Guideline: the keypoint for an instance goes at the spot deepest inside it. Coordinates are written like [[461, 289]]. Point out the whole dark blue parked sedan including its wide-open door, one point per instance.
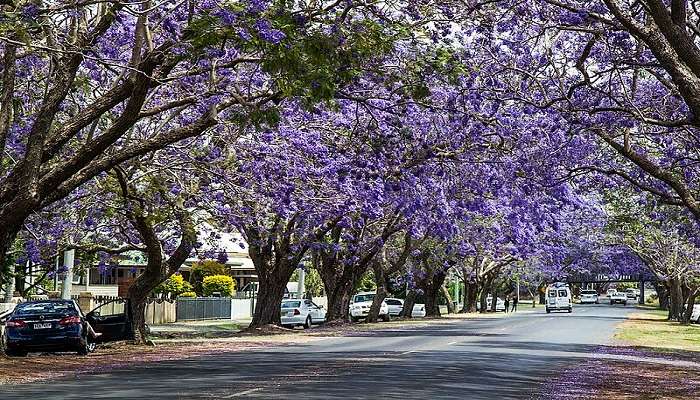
[[59, 325]]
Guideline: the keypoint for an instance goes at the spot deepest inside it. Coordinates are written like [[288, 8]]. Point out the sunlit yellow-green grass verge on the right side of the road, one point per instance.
[[651, 329]]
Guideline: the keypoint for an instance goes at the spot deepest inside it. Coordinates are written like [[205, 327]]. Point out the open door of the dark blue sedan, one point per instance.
[[112, 321]]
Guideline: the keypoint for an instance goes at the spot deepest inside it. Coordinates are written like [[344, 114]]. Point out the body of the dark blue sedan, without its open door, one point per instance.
[[46, 325]]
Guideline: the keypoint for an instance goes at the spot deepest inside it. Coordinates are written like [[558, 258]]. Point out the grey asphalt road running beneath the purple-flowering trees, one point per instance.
[[490, 358]]
